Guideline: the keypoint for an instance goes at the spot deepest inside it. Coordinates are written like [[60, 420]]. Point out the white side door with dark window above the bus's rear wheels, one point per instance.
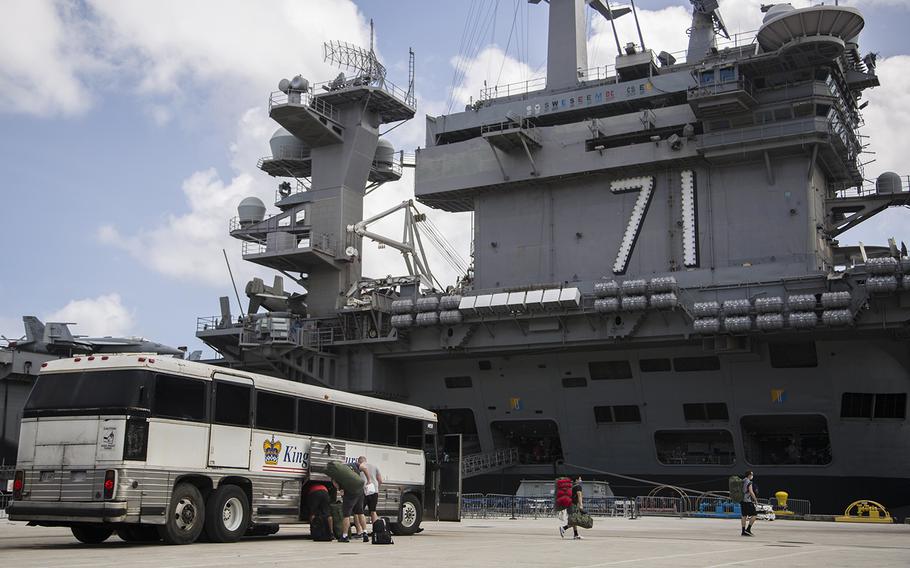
[[231, 430]]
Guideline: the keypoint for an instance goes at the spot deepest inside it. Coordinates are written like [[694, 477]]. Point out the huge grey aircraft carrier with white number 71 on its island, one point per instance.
[[656, 286]]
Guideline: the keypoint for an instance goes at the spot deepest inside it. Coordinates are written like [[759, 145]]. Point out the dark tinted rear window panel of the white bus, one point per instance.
[[110, 389]]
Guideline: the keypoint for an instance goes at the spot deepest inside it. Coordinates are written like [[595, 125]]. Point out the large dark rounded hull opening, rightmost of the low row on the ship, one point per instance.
[[786, 439]]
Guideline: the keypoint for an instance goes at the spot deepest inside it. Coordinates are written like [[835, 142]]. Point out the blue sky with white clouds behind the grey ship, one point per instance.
[[130, 130]]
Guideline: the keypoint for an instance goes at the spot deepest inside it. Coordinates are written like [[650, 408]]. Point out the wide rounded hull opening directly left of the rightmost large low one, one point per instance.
[[694, 447]]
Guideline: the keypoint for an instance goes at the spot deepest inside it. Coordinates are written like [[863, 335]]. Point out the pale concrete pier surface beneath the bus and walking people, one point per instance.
[[653, 542]]
